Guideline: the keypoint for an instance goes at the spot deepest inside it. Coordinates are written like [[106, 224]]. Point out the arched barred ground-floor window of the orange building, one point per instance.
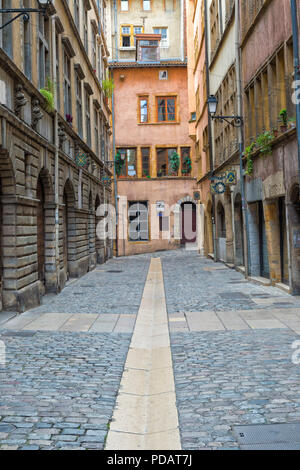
[[138, 221]]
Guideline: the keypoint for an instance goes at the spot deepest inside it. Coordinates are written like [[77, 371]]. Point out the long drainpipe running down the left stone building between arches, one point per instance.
[[56, 162]]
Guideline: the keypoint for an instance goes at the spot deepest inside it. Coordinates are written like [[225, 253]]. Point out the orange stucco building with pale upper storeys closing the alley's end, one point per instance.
[[156, 175]]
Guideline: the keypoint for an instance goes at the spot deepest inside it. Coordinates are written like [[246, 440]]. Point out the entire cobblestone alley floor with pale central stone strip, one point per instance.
[[231, 343]]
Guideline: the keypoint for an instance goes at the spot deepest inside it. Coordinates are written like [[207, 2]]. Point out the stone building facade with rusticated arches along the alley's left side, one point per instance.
[[54, 145]]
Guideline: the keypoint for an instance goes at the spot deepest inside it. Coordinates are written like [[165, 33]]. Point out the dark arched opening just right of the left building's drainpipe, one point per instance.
[[69, 227]]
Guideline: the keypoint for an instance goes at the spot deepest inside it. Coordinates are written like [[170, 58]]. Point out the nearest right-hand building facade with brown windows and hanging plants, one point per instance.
[[272, 183]]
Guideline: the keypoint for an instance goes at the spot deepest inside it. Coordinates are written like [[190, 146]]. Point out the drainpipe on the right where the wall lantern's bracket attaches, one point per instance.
[[241, 138]]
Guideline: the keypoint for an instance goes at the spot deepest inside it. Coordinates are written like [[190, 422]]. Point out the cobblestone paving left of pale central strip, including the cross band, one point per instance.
[[58, 389]]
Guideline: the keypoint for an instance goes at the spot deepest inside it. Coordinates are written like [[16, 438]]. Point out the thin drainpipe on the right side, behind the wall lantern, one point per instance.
[[211, 161]]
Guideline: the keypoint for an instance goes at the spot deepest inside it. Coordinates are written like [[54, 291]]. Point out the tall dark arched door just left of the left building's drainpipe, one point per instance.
[[41, 232]]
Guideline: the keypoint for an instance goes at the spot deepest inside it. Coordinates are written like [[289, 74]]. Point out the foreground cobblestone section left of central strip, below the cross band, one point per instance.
[[58, 390]]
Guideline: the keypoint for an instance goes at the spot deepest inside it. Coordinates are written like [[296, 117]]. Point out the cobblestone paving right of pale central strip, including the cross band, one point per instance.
[[226, 378]]
